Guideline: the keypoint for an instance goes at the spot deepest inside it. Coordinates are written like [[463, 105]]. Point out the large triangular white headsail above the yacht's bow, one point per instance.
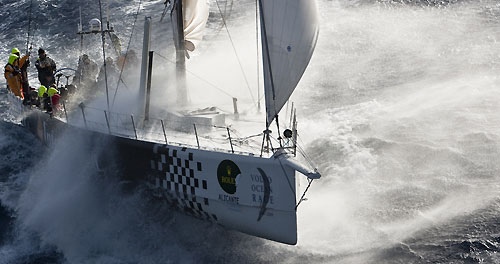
[[289, 33]]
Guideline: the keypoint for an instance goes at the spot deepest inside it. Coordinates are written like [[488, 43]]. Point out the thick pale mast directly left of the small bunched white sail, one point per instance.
[[180, 56]]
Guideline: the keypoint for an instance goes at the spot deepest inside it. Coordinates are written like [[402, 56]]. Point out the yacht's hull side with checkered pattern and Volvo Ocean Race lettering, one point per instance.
[[254, 195]]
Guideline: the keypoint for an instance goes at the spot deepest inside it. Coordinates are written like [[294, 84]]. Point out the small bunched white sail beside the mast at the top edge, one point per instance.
[[195, 19]]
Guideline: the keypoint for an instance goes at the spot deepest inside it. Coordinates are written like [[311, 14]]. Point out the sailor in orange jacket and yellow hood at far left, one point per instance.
[[13, 74]]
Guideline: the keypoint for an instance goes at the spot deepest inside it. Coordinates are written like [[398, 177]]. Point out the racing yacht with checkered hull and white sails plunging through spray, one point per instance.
[[254, 193]]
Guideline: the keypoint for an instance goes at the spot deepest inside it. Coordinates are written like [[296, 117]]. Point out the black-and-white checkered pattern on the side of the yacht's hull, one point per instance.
[[175, 180]]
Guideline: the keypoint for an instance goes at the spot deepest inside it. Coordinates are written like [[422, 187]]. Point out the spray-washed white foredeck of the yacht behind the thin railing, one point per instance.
[[195, 131]]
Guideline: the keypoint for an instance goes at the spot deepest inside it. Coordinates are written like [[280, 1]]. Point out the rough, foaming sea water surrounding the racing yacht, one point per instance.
[[398, 110]]
